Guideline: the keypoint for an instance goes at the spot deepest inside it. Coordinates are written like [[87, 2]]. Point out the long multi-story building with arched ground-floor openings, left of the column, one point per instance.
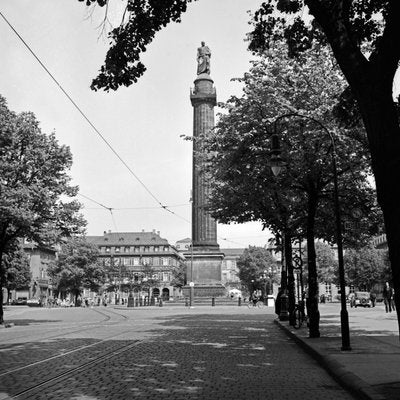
[[132, 258]]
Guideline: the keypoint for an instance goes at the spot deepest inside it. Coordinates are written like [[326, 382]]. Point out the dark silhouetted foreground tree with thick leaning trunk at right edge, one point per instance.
[[365, 38]]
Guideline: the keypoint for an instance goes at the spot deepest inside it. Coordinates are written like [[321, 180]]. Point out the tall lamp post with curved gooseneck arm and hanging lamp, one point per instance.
[[276, 164]]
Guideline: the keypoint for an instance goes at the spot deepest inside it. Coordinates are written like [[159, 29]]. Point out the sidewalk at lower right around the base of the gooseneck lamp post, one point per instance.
[[371, 370]]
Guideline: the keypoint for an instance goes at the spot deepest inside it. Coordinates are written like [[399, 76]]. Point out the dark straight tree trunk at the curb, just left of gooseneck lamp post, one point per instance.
[[312, 300]]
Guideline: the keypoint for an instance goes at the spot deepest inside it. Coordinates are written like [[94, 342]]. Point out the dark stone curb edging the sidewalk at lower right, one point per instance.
[[353, 383]]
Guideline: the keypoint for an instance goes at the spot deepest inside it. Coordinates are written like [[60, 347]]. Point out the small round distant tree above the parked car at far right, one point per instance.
[[365, 267]]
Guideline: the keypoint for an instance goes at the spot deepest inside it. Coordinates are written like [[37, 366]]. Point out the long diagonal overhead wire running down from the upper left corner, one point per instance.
[[88, 120]]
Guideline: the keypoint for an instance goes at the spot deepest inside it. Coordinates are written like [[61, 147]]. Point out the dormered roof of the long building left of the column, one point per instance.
[[128, 239]]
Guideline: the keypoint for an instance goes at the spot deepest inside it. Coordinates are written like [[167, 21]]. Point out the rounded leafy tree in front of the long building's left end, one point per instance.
[[77, 267]]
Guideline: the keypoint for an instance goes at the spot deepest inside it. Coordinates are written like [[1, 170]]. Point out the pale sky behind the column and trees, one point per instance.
[[143, 123]]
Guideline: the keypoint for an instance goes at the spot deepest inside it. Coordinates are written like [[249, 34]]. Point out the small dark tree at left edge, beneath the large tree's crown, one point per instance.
[[17, 270]]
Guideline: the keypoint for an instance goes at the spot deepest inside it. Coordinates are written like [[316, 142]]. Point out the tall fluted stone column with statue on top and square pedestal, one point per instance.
[[204, 259]]
